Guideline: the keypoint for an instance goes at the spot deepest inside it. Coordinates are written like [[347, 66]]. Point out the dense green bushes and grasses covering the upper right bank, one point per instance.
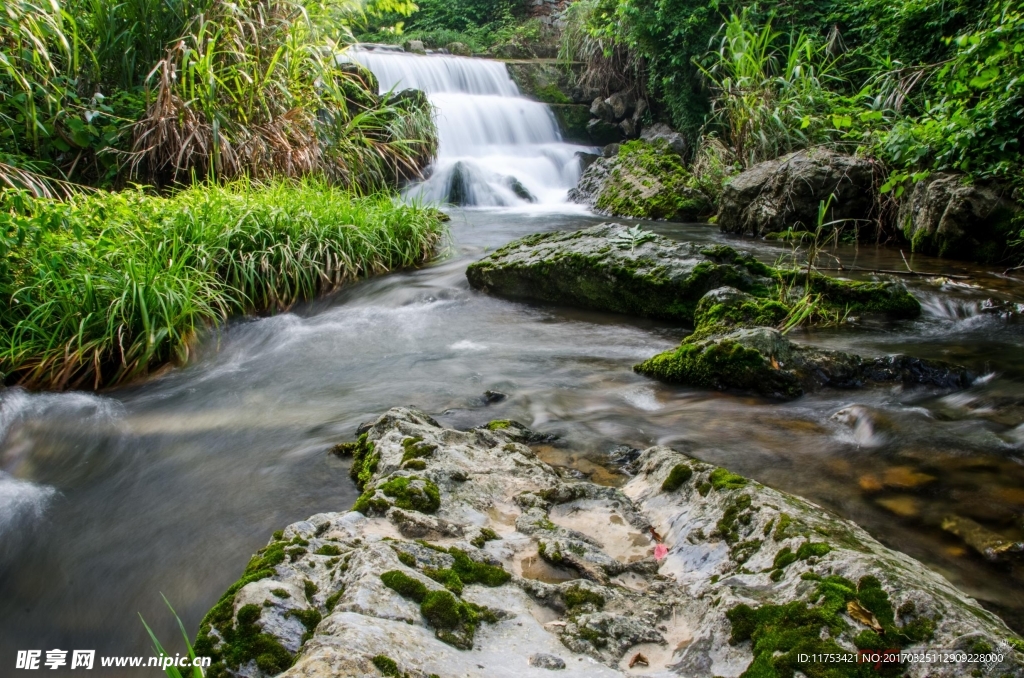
[[921, 86]]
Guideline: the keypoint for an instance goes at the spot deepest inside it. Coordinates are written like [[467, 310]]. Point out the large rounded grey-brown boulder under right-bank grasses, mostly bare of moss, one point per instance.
[[787, 193]]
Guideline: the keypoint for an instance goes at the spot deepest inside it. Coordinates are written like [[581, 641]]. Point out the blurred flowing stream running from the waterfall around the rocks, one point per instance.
[[169, 486]]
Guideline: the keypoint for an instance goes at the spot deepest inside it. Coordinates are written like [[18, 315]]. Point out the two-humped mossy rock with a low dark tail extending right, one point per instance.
[[737, 347]]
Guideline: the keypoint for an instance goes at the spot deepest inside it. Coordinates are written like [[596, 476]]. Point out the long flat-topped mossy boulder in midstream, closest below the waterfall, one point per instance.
[[614, 268]]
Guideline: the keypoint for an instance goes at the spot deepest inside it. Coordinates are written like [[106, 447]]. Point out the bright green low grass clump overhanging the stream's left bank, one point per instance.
[[107, 287]]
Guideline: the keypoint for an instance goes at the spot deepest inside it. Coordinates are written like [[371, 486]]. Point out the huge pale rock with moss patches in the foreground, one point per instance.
[[345, 595]]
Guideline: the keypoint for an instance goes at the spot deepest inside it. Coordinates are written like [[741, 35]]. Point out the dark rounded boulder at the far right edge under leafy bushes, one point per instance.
[[949, 218]]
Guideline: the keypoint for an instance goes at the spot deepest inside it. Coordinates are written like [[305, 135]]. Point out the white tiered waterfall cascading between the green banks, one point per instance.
[[497, 148]]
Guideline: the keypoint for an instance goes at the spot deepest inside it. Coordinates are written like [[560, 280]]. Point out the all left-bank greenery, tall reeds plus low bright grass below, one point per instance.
[[269, 164]]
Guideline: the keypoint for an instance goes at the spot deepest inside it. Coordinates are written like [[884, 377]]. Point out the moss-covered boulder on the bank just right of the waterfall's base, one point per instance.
[[646, 181]]
